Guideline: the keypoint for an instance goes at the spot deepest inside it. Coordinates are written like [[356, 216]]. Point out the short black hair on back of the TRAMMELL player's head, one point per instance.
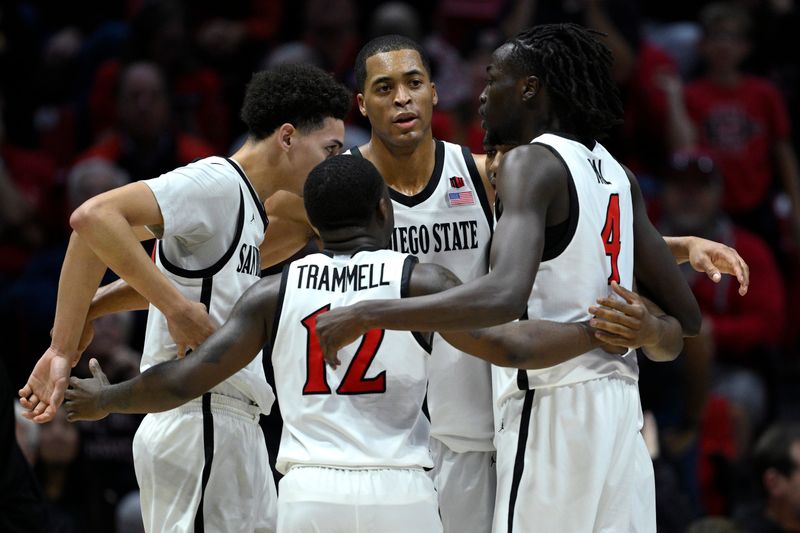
[[342, 191]]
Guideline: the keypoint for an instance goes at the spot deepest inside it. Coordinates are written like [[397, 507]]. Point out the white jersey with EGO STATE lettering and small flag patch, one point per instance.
[[450, 223]]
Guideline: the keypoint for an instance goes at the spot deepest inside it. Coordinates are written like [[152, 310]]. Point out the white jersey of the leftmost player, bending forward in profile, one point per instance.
[[219, 285]]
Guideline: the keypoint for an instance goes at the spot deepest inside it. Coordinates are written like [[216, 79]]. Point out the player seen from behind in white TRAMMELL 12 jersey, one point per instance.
[[355, 440]]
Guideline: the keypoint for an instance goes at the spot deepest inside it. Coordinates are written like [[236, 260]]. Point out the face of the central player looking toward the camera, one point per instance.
[[398, 97]]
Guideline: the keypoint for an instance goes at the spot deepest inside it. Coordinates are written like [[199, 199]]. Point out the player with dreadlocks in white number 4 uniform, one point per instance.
[[570, 456]]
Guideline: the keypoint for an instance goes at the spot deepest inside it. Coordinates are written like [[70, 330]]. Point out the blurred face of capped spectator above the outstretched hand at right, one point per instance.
[[692, 200]]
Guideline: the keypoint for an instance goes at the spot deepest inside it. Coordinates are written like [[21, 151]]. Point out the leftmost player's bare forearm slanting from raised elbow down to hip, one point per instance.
[[114, 241]]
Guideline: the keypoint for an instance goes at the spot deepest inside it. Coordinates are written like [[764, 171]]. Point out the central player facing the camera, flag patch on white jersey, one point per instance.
[[442, 204]]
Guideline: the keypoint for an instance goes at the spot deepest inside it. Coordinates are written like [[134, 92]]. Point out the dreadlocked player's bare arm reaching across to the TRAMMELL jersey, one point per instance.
[[532, 178]]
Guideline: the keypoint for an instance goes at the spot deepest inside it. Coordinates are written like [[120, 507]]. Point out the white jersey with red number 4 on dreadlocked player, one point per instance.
[[596, 247]]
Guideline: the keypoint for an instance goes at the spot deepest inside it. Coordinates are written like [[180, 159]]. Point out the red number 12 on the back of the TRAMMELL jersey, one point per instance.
[[355, 380]]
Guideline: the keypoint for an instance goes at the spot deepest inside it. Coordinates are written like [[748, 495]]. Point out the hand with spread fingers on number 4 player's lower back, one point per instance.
[[625, 323]]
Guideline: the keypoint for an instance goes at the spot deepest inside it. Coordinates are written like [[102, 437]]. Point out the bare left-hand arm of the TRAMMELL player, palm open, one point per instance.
[[168, 385]]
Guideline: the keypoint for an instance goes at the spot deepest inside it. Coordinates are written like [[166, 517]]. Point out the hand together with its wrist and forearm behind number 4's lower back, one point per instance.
[[634, 321]]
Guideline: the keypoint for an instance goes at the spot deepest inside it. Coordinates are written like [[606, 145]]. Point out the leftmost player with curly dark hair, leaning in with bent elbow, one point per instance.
[[209, 220]]
